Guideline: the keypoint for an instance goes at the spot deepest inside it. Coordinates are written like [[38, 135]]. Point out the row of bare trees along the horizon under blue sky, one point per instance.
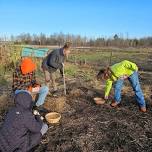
[[79, 41]]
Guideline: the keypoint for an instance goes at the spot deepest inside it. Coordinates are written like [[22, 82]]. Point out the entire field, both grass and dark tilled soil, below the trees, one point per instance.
[[85, 126]]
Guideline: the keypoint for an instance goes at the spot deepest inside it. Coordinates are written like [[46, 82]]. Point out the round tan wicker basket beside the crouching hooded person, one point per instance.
[[53, 117]]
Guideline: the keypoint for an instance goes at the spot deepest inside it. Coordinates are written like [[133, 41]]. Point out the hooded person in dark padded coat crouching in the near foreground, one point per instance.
[[21, 130]]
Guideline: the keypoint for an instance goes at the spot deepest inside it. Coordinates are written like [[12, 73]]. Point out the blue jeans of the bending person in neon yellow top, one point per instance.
[[134, 81]]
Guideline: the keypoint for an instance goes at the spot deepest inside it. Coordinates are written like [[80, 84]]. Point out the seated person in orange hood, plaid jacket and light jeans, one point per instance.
[[24, 80]]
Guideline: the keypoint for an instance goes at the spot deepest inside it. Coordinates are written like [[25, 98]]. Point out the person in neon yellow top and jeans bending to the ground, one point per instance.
[[118, 73]]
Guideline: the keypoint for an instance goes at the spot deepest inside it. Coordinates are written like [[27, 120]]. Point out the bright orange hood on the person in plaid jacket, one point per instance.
[[27, 66]]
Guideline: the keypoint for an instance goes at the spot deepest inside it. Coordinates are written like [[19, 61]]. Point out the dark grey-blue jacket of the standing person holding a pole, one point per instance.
[[54, 61]]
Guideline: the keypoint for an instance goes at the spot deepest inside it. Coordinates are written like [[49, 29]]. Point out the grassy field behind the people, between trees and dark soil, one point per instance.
[[94, 58]]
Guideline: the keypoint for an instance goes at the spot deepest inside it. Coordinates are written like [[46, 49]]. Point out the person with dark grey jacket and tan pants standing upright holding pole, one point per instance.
[[54, 61]]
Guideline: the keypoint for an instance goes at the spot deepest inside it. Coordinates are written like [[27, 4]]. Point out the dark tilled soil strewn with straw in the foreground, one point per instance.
[[87, 127]]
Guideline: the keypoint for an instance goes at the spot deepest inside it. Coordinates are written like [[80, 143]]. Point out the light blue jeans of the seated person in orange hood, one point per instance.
[[42, 94]]
